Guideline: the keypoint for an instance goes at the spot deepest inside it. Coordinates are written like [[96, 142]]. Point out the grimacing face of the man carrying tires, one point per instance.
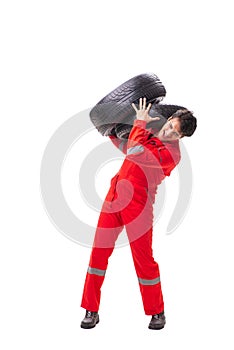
[[170, 130]]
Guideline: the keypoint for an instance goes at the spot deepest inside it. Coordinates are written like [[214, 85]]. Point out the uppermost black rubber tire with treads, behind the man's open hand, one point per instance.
[[115, 108]]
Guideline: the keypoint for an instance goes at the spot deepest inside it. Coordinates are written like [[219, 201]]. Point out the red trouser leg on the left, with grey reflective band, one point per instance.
[[109, 227]]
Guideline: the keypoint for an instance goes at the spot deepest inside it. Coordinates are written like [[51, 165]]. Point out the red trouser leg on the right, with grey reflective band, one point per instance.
[[147, 271]]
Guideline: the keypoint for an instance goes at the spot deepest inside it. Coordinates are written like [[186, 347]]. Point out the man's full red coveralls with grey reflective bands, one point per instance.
[[129, 203]]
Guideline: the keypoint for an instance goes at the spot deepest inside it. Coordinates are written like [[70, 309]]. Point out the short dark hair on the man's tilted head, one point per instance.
[[188, 122]]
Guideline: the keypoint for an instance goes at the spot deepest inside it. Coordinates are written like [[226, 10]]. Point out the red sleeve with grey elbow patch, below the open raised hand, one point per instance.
[[156, 155]]
